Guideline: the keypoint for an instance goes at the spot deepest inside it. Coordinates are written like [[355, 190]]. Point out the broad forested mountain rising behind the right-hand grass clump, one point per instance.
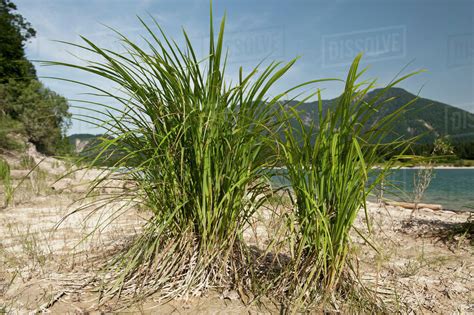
[[431, 118]]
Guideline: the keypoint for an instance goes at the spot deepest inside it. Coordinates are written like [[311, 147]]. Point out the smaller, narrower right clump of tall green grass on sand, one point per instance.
[[329, 164]]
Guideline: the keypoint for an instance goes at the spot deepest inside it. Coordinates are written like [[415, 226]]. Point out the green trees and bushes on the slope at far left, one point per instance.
[[29, 111]]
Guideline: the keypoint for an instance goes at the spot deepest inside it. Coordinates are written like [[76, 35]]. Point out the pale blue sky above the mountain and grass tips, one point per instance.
[[434, 35]]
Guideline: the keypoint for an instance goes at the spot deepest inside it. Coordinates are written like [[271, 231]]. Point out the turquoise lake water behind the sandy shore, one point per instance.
[[452, 188]]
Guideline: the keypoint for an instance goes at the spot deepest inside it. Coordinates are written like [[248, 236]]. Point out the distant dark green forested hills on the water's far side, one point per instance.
[[426, 118]]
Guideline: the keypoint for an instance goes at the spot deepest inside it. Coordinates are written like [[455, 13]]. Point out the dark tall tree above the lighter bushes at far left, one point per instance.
[[15, 31]]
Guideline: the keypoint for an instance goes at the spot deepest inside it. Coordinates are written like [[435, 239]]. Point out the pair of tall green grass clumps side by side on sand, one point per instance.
[[198, 150]]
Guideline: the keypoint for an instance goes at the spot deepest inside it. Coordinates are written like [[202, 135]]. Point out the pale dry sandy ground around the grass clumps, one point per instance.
[[422, 263]]
